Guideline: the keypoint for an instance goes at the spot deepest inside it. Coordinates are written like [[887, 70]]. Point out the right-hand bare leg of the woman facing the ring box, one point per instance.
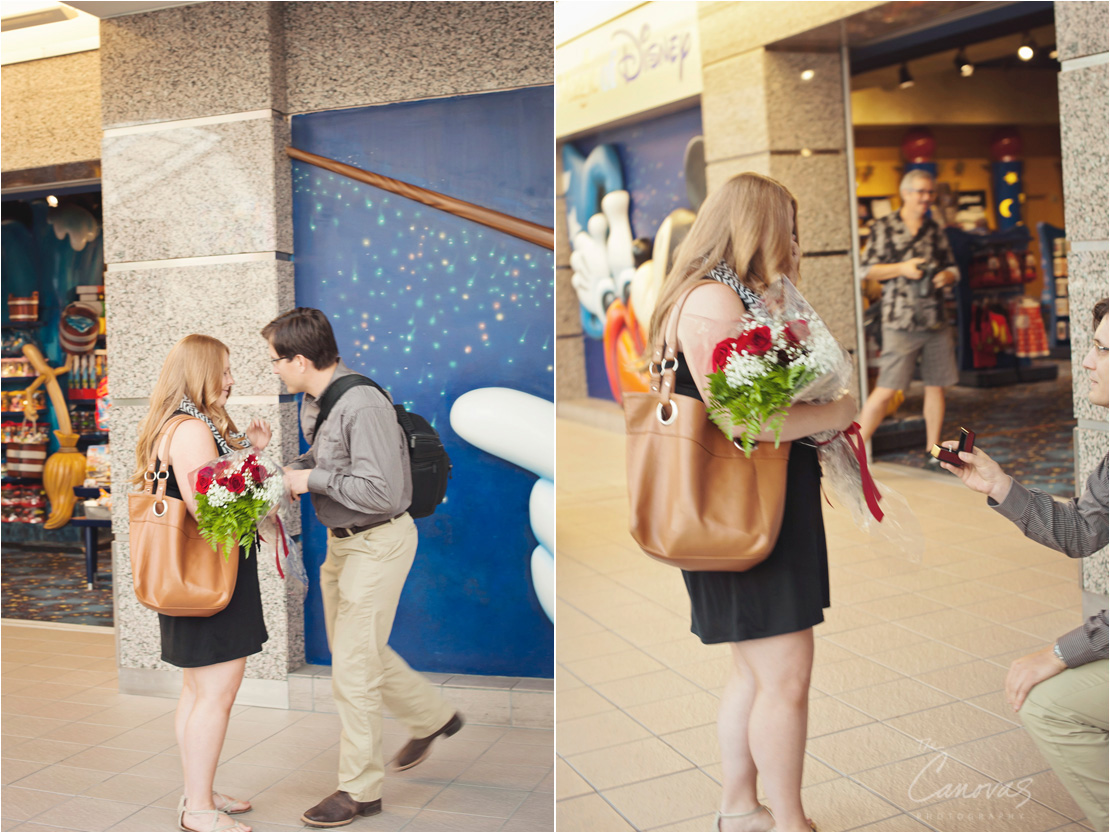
[[781, 667]]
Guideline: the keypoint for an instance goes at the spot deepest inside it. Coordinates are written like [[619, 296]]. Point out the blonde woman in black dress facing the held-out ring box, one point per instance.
[[744, 240]]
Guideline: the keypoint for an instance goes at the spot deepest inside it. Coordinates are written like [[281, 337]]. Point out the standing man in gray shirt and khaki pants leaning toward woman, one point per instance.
[[358, 475]]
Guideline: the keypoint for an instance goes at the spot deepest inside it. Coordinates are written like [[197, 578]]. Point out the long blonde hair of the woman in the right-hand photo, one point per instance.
[[749, 224]]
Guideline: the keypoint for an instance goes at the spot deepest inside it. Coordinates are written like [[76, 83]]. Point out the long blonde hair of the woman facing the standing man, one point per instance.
[[195, 369]]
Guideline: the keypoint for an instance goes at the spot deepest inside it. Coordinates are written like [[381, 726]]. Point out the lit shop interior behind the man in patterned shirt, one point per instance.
[[976, 105]]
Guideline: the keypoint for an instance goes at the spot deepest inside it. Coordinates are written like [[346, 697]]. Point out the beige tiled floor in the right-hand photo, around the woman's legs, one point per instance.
[[909, 729]]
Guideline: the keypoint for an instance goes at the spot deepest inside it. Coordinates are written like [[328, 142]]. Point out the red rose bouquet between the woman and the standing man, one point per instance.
[[235, 494]]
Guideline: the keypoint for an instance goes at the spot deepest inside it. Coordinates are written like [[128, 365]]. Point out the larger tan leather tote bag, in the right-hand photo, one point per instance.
[[697, 501]]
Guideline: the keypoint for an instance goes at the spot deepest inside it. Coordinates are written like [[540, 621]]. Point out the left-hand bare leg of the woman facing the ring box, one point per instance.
[[739, 769]]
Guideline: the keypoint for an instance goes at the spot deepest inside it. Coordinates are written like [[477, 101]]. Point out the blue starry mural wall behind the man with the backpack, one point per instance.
[[432, 307]]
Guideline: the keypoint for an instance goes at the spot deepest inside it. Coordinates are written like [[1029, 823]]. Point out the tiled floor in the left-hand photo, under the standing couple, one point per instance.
[[80, 756]]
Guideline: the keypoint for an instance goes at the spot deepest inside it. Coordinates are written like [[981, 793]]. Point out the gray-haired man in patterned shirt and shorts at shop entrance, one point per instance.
[[914, 320]]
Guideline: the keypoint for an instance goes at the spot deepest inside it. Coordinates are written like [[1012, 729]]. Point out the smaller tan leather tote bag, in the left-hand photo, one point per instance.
[[175, 571]]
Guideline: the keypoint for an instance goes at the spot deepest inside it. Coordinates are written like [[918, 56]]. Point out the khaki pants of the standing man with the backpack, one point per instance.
[[361, 582]]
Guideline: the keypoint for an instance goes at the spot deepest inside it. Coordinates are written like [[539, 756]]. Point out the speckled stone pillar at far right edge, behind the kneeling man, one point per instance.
[[1082, 37]]
